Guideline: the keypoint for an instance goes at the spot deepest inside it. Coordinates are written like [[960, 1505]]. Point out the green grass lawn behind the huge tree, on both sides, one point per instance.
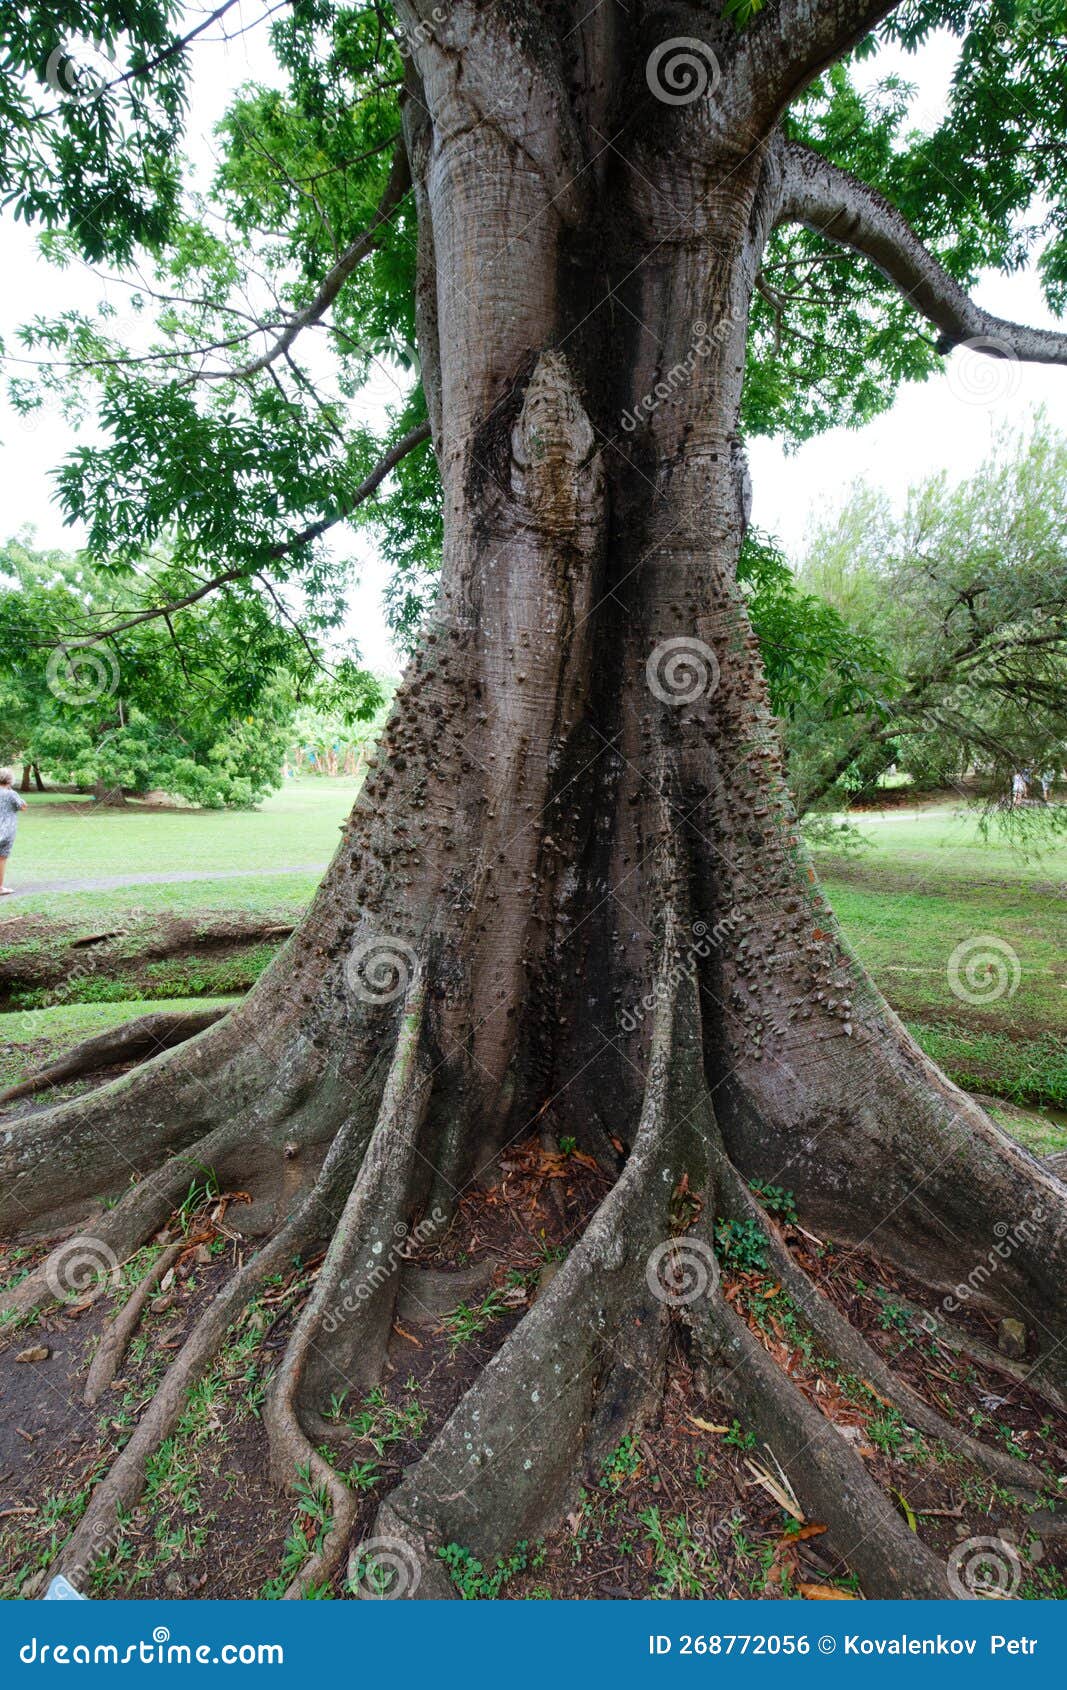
[[927, 885]]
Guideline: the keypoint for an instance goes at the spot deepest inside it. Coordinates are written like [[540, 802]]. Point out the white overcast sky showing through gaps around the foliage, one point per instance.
[[946, 423]]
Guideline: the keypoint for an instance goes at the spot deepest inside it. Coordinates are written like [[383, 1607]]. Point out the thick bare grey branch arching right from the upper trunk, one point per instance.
[[845, 210]]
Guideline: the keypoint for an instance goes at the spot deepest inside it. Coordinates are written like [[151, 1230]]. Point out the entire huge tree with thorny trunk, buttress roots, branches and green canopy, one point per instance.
[[589, 221]]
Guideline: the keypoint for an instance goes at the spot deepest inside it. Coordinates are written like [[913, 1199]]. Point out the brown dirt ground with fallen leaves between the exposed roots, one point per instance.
[[686, 1507]]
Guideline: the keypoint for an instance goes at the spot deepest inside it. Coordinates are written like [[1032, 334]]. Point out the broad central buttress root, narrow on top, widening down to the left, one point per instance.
[[584, 1365]]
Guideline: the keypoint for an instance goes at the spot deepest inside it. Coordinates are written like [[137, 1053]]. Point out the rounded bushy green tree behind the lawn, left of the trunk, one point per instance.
[[199, 706]]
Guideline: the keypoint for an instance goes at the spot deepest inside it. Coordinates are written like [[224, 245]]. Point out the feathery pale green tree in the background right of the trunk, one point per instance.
[[968, 596]]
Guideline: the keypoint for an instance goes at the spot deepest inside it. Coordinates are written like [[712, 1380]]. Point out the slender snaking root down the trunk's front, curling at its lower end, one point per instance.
[[356, 1294]]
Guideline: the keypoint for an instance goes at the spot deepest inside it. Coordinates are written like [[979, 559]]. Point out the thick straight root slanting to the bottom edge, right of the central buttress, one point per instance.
[[826, 1475]]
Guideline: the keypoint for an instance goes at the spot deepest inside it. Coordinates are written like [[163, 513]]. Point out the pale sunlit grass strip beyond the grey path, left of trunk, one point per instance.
[[74, 839]]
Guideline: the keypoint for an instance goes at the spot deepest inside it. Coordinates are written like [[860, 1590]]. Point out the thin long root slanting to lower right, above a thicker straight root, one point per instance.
[[851, 1349]]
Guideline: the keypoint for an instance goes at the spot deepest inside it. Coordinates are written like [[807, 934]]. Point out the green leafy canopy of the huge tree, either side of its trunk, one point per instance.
[[233, 472]]
